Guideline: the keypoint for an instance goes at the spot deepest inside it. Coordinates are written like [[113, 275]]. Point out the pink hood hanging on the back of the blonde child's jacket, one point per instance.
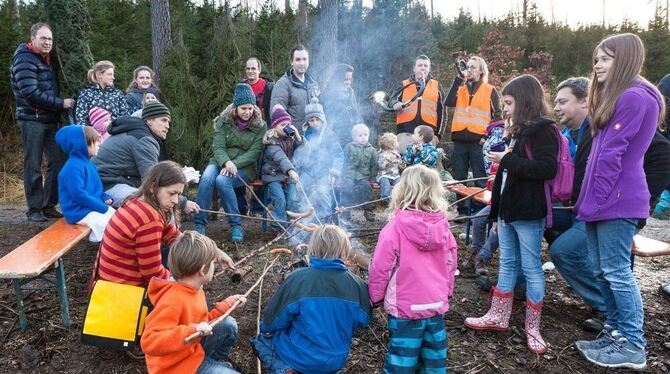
[[427, 231]]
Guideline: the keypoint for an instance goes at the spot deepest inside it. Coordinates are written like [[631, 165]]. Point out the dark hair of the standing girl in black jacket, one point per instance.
[[529, 102]]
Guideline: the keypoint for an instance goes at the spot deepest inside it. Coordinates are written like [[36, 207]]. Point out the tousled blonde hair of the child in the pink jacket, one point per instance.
[[419, 188]]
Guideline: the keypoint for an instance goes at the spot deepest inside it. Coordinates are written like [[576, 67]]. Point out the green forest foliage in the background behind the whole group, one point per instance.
[[212, 42]]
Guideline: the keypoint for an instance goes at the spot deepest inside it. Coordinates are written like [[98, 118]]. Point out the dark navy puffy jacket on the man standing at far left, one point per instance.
[[35, 87]]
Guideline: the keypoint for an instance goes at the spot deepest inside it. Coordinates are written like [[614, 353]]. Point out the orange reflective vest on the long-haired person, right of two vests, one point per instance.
[[473, 116]]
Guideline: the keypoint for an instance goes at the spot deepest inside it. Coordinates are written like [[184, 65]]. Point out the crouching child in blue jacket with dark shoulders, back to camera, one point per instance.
[[308, 324]]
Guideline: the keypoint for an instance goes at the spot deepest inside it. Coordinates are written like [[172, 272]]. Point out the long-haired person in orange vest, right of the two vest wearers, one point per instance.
[[476, 104]]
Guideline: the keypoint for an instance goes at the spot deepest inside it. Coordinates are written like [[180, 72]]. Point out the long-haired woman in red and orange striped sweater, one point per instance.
[[131, 245]]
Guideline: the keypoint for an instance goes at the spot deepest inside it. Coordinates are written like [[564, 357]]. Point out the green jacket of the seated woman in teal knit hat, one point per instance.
[[242, 147]]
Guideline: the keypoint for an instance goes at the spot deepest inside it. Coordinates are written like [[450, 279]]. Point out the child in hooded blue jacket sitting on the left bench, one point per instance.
[[80, 192]]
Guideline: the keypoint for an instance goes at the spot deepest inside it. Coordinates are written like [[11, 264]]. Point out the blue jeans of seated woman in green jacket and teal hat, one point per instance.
[[226, 186]]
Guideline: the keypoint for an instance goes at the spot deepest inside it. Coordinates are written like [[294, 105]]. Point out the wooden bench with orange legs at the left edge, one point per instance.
[[30, 261]]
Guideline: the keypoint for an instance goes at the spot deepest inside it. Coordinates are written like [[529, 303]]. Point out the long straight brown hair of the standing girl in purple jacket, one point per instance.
[[628, 53]]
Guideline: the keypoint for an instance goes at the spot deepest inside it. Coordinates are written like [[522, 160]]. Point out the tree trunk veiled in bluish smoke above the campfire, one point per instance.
[[326, 39]]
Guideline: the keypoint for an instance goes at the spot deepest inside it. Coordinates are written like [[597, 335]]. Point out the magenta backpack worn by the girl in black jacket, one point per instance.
[[559, 189]]
